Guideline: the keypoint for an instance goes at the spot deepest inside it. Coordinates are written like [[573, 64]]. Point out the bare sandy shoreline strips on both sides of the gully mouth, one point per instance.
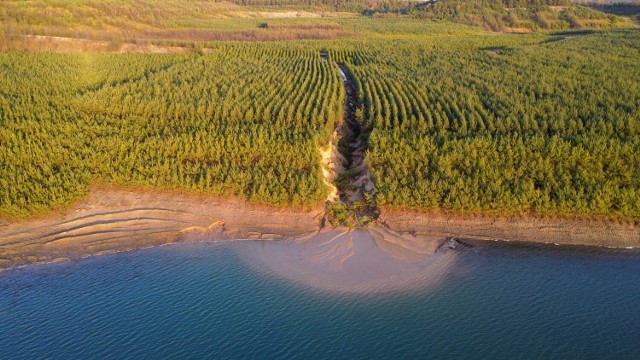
[[112, 220]]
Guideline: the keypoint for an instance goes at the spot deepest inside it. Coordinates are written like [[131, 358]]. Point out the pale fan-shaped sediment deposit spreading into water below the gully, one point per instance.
[[362, 261]]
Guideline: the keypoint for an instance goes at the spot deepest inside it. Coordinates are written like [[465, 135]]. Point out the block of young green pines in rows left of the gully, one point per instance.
[[245, 120]]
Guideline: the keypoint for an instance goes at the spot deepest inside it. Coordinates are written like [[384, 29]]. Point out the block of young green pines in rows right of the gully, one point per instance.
[[546, 128]]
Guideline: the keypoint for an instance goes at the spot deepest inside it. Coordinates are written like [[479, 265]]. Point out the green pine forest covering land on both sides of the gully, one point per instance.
[[455, 117]]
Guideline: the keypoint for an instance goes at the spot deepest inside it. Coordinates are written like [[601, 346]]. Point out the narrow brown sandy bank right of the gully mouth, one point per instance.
[[440, 226]]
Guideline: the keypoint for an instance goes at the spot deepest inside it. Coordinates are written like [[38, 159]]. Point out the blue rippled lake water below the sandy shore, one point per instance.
[[239, 300]]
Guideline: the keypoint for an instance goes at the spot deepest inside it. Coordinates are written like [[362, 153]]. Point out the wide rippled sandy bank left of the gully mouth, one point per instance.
[[111, 220]]
